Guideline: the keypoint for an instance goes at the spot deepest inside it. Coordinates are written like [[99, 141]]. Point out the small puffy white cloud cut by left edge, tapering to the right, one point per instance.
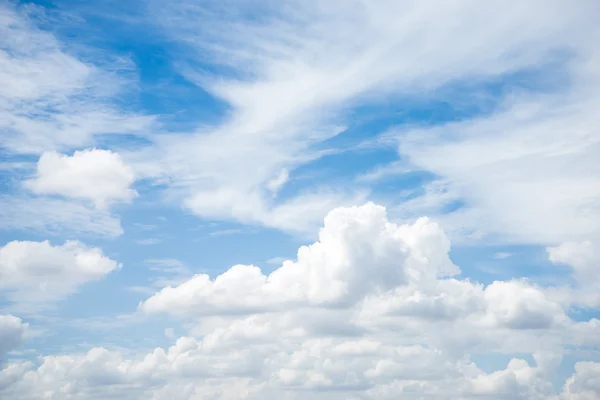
[[38, 272]]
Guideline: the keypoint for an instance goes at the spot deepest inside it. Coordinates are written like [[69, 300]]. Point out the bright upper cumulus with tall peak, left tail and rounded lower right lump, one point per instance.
[[364, 261]]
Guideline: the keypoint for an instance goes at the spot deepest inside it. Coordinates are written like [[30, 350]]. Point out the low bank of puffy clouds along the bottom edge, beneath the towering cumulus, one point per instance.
[[325, 368]]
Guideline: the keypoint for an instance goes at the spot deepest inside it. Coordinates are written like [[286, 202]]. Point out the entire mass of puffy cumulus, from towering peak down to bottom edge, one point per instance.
[[372, 310]]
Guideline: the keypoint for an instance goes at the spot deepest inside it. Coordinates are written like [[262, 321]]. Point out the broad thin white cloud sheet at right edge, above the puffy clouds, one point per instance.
[[527, 171]]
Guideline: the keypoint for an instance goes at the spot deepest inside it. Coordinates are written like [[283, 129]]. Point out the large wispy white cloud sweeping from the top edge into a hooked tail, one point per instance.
[[287, 91]]
